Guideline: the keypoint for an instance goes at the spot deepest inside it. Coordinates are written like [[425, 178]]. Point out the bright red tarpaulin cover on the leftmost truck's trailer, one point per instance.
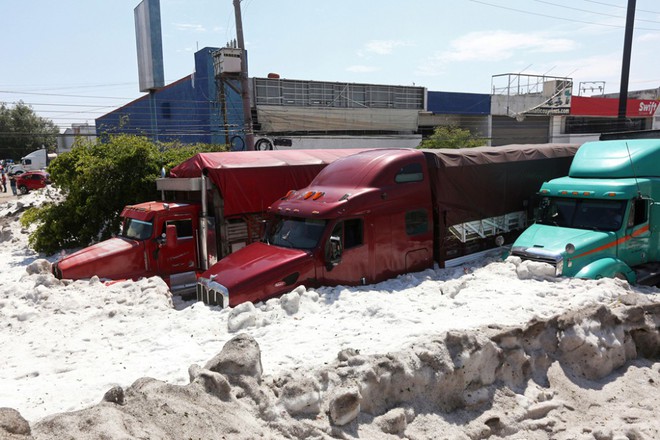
[[249, 181]]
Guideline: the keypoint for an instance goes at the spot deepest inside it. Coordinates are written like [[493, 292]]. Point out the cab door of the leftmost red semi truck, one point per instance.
[[176, 251]]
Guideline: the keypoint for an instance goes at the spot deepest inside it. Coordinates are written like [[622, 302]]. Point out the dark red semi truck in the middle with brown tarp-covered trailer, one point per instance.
[[380, 213]]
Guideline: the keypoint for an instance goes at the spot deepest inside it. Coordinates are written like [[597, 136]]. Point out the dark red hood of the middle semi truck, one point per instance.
[[260, 271]]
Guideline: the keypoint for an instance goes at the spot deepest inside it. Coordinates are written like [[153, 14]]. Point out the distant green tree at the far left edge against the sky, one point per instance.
[[22, 131]]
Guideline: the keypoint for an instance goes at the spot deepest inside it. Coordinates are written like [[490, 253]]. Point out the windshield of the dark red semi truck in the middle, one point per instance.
[[297, 233]]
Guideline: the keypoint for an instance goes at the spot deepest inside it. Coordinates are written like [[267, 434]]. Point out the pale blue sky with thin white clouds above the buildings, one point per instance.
[[73, 61]]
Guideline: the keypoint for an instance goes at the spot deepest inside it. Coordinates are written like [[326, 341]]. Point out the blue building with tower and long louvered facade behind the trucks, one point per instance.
[[206, 107]]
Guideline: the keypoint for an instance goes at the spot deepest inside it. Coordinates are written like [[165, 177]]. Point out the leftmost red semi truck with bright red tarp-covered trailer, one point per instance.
[[213, 204]]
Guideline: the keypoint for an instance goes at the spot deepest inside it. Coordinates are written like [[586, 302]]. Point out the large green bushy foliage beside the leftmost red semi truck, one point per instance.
[[98, 180]]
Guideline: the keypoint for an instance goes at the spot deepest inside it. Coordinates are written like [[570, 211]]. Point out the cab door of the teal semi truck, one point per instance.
[[635, 249]]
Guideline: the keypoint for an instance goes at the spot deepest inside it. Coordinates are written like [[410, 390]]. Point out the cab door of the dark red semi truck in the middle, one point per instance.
[[346, 254]]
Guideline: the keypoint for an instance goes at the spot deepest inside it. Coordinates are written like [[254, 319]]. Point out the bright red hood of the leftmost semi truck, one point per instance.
[[116, 258]]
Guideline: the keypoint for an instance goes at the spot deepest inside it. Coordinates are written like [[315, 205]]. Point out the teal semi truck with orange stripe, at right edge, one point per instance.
[[602, 220]]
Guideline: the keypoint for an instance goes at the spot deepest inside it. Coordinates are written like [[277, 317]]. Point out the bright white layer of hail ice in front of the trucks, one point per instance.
[[65, 343]]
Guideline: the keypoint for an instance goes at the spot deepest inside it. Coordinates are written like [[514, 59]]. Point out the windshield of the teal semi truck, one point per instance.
[[599, 215]]
